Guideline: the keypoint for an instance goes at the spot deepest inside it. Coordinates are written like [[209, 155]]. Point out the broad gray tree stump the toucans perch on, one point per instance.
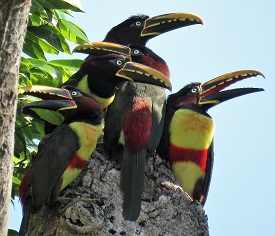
[[92, 205]]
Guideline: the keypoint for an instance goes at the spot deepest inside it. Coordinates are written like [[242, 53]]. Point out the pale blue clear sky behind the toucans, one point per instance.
[[237, 35]]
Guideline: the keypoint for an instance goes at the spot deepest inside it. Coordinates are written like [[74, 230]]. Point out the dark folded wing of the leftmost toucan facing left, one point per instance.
[[53, 157]]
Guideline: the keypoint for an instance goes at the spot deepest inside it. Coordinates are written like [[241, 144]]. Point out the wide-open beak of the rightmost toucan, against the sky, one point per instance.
[[212, 95]]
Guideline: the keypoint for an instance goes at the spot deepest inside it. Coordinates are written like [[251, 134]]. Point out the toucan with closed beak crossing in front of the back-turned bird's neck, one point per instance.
[[99, 75]]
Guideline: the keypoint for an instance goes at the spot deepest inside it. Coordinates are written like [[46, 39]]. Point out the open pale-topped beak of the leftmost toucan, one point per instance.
[[55, 99]]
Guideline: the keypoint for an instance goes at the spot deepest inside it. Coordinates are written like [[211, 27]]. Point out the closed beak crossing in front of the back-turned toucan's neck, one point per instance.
[[140, 73]]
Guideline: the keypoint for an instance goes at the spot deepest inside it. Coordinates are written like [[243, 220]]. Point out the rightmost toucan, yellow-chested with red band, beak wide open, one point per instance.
[[187, 140]]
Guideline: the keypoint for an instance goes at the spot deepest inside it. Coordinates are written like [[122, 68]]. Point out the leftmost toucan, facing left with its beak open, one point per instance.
[[63, 153]]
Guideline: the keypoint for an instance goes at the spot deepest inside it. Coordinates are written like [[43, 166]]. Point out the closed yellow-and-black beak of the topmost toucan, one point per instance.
[[154, 26]]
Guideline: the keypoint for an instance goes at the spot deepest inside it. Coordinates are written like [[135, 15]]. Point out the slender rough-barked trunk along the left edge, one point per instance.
[[13, 23]]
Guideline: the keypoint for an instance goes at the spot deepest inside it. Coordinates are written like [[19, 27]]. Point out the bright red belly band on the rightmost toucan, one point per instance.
[[180, 154]]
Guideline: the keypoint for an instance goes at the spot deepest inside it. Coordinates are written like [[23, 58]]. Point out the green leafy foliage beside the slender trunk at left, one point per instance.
[[48, 32]]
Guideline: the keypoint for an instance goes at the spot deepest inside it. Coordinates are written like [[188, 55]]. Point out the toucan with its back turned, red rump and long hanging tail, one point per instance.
[[135, 119]]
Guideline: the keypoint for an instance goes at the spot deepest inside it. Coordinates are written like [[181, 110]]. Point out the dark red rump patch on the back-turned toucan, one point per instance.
[[137, 125]]
